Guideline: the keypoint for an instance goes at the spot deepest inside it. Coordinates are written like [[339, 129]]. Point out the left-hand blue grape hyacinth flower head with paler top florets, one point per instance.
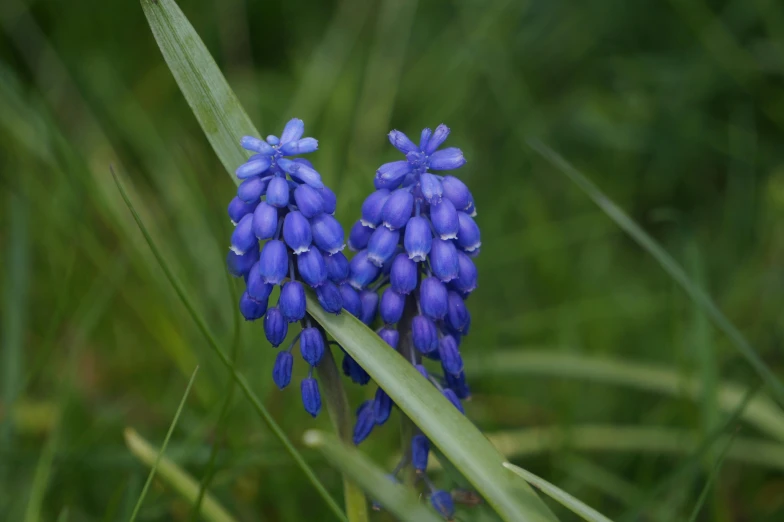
[[283, 203]]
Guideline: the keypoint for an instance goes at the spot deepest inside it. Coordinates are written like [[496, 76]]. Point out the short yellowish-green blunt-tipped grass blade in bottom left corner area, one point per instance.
[[176, 477]]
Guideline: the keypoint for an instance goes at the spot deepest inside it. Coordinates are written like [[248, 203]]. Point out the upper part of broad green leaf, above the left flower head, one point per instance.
[[212, 101]]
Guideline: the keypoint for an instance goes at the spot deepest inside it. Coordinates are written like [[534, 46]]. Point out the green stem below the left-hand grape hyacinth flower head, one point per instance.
[[340, 414]]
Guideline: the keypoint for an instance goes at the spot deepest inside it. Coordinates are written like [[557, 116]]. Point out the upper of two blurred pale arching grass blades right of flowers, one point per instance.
[[761, 411]]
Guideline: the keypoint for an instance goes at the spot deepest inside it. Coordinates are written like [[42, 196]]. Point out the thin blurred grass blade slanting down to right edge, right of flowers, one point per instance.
[[667, 262]]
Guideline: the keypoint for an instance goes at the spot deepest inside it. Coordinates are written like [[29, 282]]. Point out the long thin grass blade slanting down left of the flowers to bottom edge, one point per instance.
[[239, 379]]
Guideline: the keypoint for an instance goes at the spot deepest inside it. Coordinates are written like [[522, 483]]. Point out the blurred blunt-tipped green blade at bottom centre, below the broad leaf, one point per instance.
[[394, 497]]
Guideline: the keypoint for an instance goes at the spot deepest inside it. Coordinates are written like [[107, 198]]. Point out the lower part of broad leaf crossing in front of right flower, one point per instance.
[[461, 442]]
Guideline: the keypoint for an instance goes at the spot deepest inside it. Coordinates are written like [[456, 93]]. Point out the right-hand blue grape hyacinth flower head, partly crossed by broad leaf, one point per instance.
[[415, 239]]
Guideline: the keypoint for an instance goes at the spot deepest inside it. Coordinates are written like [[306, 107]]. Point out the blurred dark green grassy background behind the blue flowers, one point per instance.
[[589, 366]]
